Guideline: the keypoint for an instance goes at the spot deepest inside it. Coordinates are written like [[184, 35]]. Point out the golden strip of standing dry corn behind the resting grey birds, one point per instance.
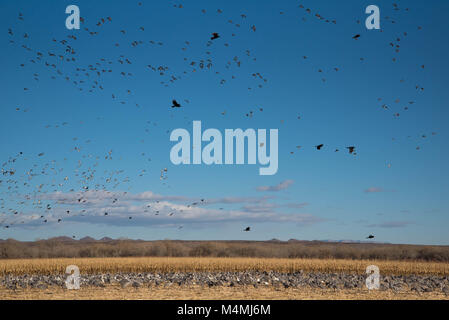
[[210, 264]]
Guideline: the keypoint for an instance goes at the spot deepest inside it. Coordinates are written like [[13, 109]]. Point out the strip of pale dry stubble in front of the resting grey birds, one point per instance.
[[215, 293]]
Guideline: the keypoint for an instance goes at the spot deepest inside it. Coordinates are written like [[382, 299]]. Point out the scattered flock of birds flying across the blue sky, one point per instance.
[[61, 63]]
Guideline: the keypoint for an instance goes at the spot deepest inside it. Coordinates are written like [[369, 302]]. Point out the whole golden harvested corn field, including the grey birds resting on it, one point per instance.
[[221, 278]]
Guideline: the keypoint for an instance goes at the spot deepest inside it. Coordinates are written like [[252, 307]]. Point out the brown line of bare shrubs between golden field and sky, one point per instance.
[[54, 248]]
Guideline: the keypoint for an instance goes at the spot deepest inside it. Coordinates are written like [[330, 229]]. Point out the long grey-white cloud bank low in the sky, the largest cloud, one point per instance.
[[148, 208]]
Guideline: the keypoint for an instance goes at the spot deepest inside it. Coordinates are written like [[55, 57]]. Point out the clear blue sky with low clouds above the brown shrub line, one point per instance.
[[90, 140]]
